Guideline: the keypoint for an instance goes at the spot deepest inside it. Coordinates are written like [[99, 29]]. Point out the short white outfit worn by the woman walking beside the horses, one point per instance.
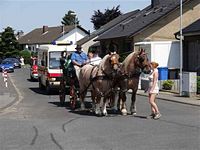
[[156, 89]]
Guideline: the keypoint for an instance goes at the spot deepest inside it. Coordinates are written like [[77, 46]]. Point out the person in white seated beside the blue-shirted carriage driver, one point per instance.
[[94, 59]]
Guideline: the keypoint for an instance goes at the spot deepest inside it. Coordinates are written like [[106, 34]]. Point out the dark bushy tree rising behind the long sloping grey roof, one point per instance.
[[99, 18]]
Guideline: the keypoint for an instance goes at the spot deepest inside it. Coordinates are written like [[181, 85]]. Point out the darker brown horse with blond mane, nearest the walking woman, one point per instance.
[[131, 68]]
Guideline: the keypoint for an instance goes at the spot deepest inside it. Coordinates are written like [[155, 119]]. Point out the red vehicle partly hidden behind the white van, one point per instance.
[[34, 69]]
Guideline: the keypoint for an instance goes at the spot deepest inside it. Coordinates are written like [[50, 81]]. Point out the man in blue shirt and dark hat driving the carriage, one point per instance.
[[79, 59]]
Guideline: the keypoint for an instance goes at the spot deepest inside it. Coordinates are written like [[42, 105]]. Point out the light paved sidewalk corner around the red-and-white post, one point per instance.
[[8, 95]]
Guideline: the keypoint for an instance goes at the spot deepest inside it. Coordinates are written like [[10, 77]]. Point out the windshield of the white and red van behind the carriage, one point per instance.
[[54, 60]]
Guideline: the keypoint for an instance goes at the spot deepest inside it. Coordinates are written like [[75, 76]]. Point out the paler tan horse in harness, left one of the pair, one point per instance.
[[100, 81]]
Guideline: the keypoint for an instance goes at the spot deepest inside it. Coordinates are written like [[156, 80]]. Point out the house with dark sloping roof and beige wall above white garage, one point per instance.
[[157, 22]]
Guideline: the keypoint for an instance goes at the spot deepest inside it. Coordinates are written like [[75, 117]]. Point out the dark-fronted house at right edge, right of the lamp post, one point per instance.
[[191, 47]]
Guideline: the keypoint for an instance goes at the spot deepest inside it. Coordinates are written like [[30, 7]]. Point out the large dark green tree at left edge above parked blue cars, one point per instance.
[[8, 42]]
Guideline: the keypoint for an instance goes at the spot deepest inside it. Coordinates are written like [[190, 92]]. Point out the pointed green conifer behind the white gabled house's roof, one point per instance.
[[70, 18]]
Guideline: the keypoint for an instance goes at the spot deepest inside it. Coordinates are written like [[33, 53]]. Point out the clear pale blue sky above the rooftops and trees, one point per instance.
[[26, 15]]
